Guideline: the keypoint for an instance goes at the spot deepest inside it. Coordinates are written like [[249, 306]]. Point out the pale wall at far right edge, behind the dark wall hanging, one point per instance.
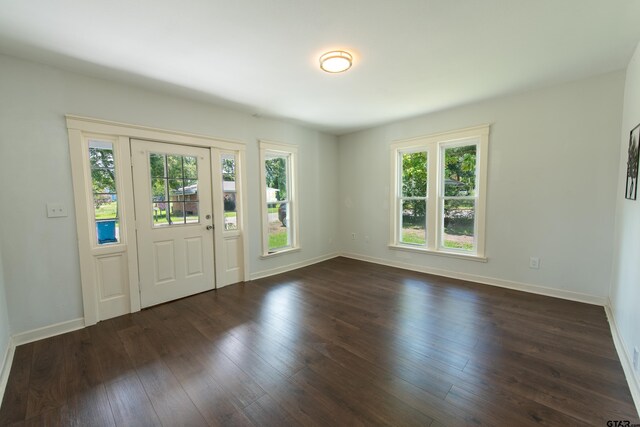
[[625, 284]]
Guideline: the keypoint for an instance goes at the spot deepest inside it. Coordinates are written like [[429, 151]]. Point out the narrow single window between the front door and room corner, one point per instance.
[[279, 204]]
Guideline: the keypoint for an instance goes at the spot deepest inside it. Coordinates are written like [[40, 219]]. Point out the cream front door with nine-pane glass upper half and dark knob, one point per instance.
[[174, 225]]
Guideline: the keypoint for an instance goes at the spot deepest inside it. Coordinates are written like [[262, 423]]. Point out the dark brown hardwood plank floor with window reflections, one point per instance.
[[340, 343]]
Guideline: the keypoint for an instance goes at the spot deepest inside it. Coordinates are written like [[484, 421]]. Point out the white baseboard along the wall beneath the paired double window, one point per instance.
[[525, 287]]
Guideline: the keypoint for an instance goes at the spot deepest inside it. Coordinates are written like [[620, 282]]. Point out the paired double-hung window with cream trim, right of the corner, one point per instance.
[[438, 193]]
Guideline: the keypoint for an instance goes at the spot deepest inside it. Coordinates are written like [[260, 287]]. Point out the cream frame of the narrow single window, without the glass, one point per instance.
[[267, 149]]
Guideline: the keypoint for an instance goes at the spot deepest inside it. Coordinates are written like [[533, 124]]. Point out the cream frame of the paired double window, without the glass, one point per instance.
[[434, 146]]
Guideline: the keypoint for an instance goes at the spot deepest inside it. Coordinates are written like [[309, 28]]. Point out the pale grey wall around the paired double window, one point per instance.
[[553, 167]]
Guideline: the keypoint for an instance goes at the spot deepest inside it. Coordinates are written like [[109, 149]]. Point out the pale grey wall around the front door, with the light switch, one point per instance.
[[42, 275]]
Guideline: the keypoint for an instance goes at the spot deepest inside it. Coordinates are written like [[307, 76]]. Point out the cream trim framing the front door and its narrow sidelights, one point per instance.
[[79, 129]]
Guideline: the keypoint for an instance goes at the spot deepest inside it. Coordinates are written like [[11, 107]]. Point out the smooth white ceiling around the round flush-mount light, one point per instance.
[[261, 56]]
